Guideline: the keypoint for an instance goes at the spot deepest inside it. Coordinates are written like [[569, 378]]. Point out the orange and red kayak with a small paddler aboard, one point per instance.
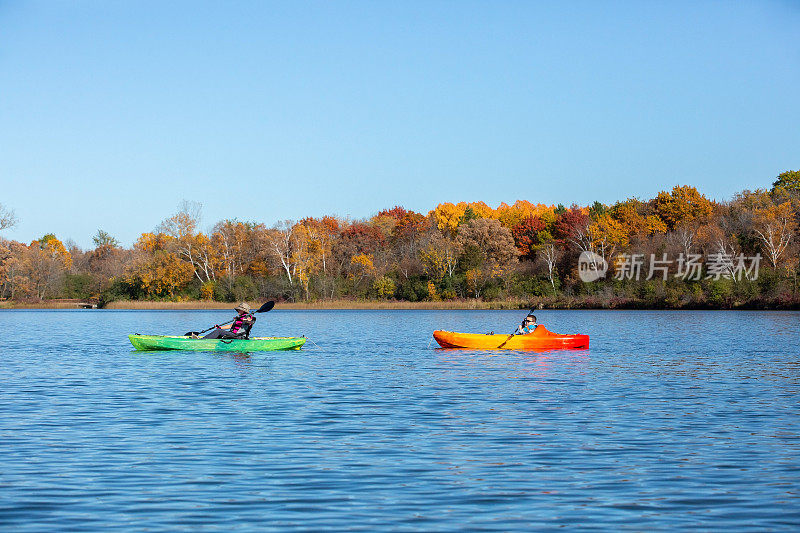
[[540, 339]]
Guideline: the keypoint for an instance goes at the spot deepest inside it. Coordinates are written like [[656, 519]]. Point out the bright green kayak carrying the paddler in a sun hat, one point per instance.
[[253, 344]]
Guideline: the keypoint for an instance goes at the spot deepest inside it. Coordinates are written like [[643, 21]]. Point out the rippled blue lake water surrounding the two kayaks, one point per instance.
[[670, 419]]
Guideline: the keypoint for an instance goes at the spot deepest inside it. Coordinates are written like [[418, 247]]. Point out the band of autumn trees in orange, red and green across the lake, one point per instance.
[[524, 252]]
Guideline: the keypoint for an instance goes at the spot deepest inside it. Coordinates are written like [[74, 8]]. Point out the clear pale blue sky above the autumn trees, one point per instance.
[[111, 113]]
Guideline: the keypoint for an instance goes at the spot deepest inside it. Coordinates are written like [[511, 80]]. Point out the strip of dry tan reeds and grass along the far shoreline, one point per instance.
[[378, 305]]
